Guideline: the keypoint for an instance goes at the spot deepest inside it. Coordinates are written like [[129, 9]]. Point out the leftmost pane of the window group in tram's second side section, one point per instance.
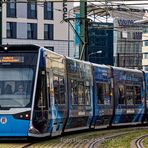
[[74, 92]]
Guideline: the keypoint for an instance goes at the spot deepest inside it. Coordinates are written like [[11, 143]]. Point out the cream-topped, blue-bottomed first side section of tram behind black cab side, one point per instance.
[[56, 86]]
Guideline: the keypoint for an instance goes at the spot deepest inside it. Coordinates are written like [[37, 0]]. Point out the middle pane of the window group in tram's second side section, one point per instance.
[[81, 93]]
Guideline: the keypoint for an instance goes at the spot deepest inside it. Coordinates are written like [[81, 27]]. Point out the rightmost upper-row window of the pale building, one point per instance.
[[48, 10]]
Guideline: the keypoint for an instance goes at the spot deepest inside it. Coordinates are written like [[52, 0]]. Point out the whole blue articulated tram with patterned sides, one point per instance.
[[43, 93]]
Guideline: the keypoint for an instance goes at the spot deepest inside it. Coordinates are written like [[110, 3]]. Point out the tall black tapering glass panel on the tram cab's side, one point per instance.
[[40, 113]]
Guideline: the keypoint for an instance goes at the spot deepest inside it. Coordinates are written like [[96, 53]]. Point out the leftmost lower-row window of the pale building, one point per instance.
[[11, 29]]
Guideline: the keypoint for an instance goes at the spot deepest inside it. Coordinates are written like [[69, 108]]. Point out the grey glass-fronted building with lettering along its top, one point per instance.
[[127, 43]]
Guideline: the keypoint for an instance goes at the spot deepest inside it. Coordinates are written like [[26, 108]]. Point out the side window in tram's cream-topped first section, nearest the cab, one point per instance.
[[59, 90]]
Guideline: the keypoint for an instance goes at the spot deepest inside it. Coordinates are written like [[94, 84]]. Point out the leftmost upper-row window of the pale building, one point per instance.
[[11, 8]]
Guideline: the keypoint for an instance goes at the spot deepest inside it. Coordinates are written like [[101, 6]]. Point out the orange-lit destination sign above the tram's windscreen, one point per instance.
[[11, 59]]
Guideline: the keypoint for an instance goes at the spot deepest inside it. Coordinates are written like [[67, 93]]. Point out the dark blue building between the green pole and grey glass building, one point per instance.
[[100, 43]]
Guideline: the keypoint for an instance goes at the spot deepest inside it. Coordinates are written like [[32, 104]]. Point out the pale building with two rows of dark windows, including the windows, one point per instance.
[[37, 23]]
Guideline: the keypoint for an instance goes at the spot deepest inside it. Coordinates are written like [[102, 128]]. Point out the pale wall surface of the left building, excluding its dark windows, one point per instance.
[[60, 42]]
